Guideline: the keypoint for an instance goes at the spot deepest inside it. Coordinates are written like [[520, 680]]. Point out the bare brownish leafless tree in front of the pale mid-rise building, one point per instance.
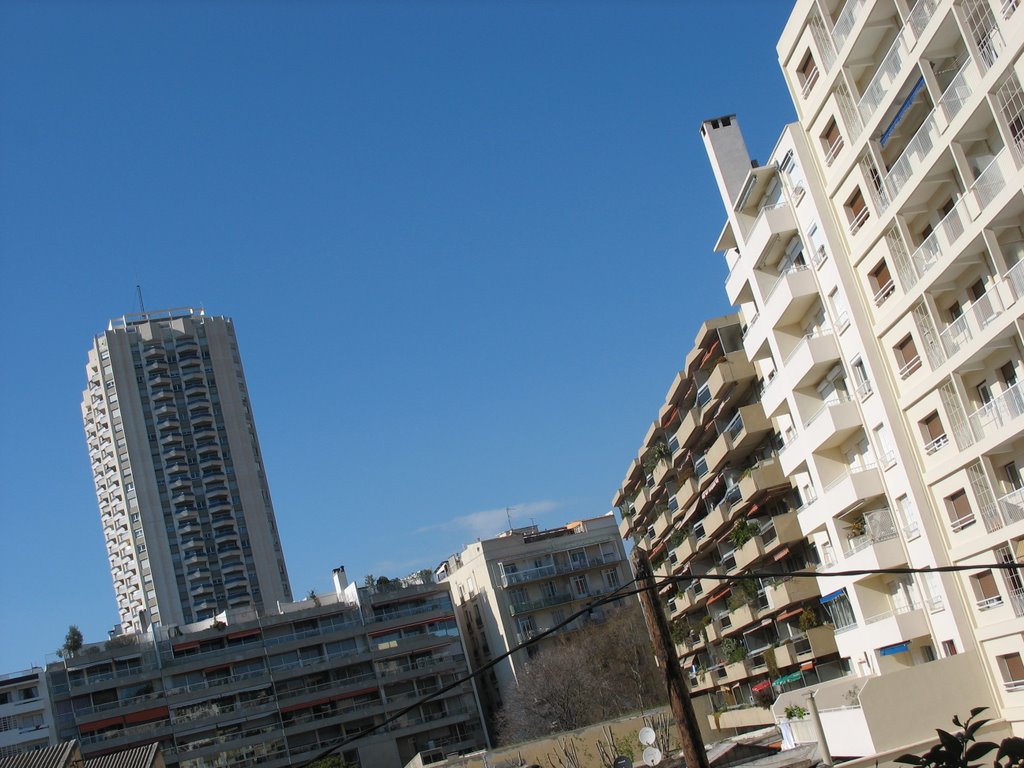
[[603, 671]]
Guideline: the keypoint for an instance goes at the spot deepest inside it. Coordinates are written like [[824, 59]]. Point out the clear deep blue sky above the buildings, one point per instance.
[[466, 246]]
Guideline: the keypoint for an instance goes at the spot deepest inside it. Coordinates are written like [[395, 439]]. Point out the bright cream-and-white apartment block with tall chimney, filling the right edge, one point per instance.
[[875, 261]]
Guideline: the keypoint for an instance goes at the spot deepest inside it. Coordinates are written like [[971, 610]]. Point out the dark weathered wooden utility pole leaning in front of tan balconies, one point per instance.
[[695, 752]]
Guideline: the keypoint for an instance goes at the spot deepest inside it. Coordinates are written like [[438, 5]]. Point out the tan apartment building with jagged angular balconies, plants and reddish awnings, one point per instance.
[[707, 494]]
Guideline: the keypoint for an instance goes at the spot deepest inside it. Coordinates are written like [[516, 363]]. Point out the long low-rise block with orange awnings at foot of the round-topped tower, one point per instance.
[[277, 690]]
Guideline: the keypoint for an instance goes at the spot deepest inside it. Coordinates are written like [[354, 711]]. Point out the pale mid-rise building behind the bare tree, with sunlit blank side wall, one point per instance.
[[527, 581]]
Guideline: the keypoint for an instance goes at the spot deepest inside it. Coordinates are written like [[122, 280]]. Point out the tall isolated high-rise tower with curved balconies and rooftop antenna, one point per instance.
[[183, 492]]
